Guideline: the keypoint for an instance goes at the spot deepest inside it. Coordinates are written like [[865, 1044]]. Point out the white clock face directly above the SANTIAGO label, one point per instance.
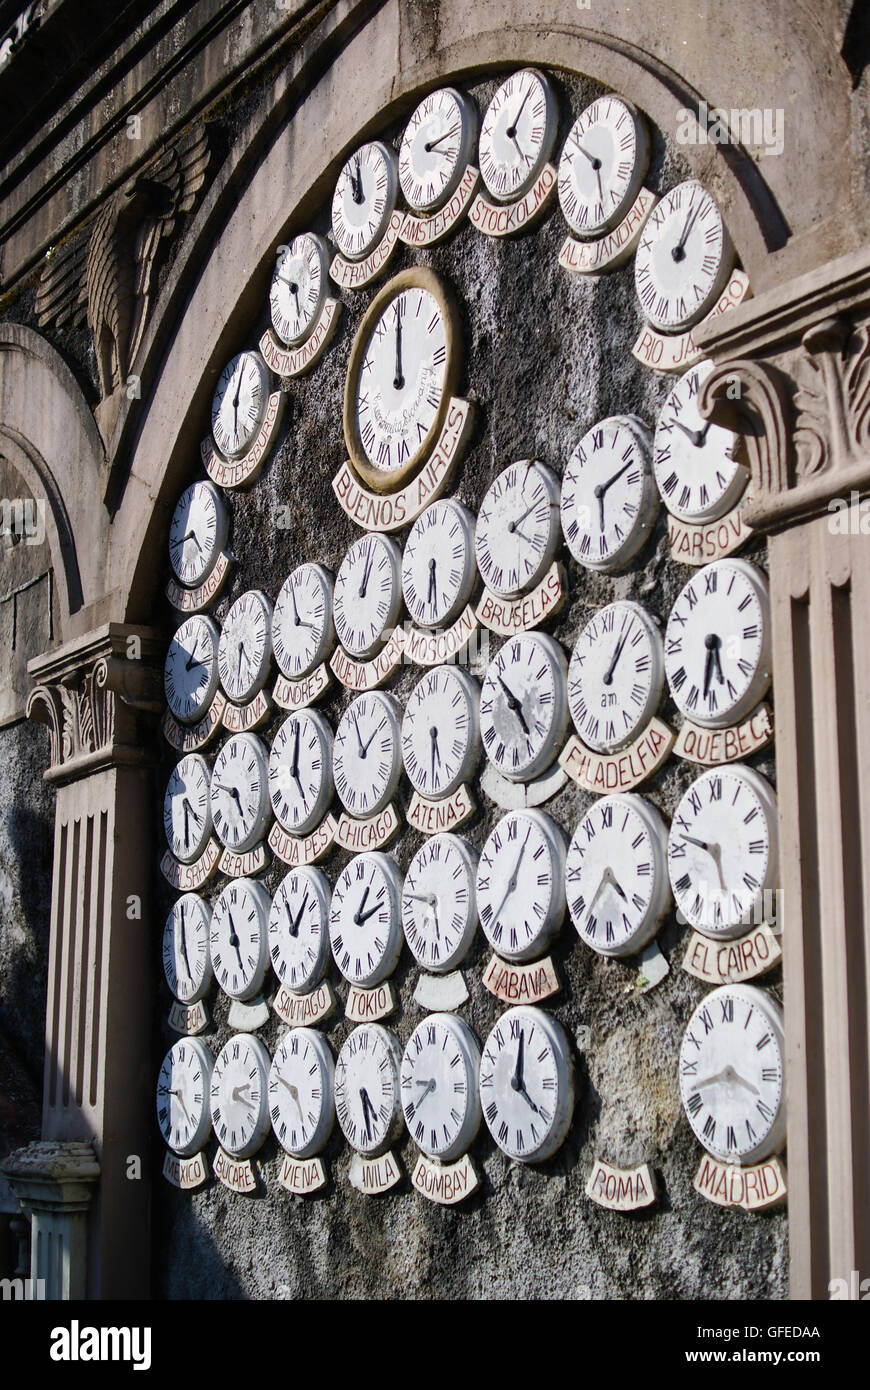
[[299, 929]]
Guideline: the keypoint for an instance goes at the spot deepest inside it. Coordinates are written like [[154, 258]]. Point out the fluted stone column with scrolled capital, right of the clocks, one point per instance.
[[803, 361]]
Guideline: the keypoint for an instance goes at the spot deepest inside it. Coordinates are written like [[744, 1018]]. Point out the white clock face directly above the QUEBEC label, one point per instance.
[[718, 644]]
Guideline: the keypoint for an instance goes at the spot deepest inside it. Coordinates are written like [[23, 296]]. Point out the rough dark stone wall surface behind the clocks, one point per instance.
[[547, 357]]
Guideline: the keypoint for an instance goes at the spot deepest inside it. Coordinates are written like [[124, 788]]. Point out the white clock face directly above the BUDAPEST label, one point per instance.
[[301, 772]]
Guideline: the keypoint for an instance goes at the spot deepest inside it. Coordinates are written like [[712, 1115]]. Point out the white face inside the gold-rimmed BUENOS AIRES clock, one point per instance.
[[401, 384]]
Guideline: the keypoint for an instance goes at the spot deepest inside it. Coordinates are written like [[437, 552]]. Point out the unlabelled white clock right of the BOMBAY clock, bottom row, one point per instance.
[[527, 1085]]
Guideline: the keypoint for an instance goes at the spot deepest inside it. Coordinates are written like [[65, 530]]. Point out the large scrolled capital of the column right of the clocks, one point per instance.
[[793, 376]]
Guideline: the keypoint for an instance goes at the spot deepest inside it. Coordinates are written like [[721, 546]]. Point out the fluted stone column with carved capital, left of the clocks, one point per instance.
[[98, 697]]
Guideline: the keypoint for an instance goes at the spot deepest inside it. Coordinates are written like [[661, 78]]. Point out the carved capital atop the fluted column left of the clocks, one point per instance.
[[98, 696]]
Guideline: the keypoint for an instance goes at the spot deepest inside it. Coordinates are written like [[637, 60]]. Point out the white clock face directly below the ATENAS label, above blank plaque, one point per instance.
[[440, 903]]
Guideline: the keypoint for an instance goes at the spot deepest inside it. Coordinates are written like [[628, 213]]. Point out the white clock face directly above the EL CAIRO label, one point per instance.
[[723, 851]]
